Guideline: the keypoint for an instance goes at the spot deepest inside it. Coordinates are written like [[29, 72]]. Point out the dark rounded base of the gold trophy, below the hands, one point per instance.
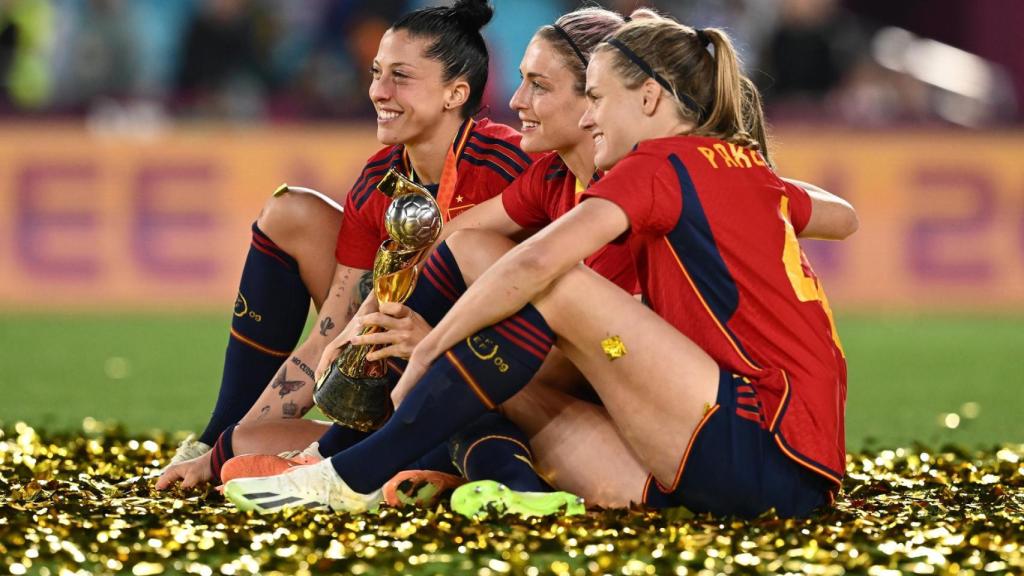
[[363, 404]]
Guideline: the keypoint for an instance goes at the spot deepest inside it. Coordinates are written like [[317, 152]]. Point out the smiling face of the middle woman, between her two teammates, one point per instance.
[[547, 102]]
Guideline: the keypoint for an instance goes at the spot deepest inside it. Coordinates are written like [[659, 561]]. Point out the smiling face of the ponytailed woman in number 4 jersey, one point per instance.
[[615, 116]]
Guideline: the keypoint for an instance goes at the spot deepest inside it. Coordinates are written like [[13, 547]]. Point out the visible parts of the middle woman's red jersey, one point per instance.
[[547, 191]]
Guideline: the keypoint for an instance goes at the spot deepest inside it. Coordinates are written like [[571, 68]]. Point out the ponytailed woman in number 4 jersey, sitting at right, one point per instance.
[[730, 390]]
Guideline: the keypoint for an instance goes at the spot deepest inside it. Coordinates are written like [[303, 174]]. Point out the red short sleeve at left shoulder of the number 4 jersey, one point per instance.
[[643, 186]]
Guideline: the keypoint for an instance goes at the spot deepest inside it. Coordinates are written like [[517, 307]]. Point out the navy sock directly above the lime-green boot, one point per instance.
[[494, 448]]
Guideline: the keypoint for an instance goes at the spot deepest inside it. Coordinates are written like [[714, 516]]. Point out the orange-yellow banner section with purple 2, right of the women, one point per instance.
[[942, 217]]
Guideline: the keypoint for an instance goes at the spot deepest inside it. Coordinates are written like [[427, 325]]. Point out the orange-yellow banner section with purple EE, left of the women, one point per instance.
[[102, 222]]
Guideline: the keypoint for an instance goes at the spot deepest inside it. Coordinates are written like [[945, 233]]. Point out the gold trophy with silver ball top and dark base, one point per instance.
[[356, 393]]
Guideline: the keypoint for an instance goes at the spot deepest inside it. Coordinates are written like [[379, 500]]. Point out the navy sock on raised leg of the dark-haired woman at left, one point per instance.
[[270, 314]]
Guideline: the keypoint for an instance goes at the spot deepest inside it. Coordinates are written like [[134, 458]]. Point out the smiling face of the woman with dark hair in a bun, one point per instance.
[[408, 90]]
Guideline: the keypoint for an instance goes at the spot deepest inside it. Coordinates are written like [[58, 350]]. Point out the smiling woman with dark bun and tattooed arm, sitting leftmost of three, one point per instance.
[[429, 78]]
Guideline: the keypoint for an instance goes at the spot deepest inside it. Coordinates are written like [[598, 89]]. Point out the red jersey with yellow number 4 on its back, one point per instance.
[[714, 235]]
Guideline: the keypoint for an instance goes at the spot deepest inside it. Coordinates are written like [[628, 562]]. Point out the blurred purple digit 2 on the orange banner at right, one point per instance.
[[930, 235]]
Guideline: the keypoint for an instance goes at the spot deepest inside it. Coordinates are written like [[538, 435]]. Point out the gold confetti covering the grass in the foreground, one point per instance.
[[86, 505]]
